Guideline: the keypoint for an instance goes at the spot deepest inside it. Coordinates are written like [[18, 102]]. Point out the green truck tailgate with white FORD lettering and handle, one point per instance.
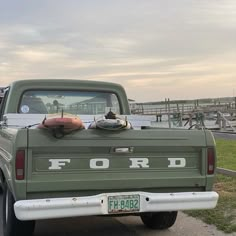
[[95, 161]]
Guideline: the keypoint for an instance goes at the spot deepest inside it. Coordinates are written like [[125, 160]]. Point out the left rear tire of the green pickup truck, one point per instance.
[[10, 224]]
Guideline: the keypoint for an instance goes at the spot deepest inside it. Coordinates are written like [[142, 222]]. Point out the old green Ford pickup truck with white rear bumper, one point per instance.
[[92, 170]]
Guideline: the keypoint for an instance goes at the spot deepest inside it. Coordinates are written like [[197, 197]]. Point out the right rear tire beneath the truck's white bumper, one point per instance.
[[159, 220]]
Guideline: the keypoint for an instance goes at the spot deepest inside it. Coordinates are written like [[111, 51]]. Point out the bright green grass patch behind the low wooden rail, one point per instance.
[[226, 153]]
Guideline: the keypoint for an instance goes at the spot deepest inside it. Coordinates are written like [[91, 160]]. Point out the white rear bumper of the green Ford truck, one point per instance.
[[97, 205]]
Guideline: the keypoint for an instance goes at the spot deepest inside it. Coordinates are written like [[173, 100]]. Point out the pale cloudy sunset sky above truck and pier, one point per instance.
[[156, 49]]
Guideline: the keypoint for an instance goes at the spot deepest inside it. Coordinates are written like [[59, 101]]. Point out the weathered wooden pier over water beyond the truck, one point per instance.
[[218, 114]]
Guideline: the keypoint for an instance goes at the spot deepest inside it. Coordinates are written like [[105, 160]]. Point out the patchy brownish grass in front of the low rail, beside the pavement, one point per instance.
[[224, 215]]
